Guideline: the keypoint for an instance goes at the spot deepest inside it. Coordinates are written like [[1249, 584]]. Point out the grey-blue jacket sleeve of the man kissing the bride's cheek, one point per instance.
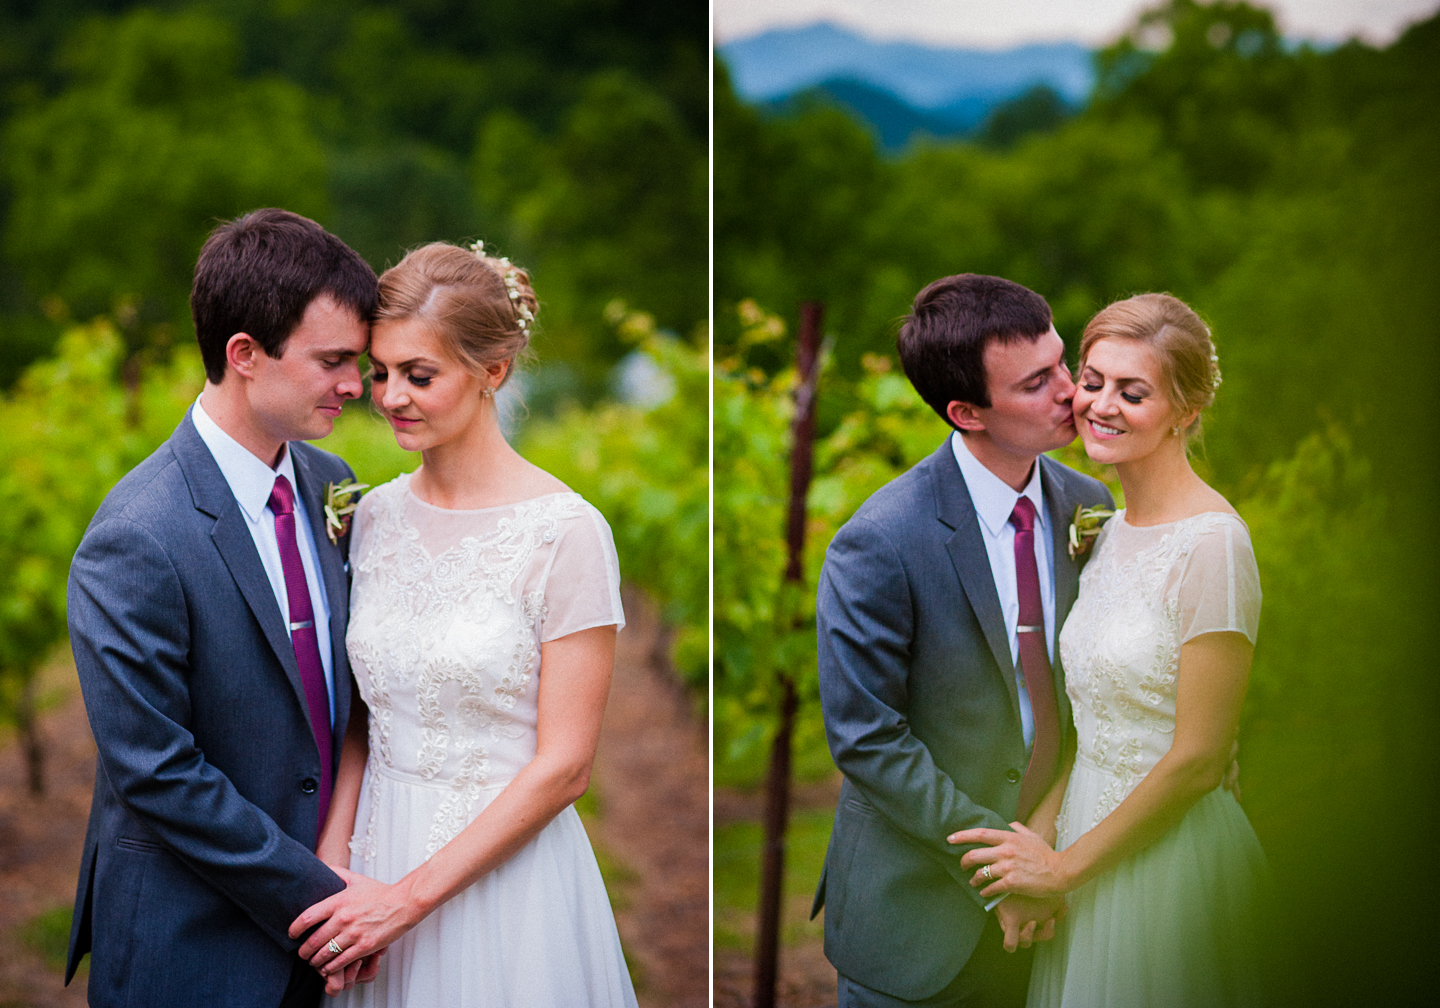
[[866, 624]]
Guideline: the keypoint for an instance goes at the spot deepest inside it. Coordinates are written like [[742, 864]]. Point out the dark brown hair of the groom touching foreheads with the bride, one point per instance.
[[258, 274]]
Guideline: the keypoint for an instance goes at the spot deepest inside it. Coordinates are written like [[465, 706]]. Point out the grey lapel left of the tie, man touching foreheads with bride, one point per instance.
[[237, 546]]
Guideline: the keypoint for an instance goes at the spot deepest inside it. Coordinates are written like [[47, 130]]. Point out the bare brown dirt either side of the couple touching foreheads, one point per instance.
[[652, 775]]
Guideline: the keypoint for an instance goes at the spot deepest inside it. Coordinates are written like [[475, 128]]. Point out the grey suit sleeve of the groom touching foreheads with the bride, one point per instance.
[[130, 633]]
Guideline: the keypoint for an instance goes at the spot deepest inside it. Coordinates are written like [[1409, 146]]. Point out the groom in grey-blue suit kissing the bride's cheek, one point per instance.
[[940, 607]]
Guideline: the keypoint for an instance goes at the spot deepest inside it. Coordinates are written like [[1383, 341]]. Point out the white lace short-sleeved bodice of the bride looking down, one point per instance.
[[449, 611]]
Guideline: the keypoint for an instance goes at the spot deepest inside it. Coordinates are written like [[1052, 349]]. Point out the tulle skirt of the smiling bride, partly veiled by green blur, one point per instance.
[[1171, 927]]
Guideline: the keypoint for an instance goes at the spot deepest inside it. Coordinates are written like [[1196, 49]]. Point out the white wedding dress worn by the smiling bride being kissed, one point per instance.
[[1173, 925]]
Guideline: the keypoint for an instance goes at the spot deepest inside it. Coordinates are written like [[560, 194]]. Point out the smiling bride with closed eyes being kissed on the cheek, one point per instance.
[[1158, 862]]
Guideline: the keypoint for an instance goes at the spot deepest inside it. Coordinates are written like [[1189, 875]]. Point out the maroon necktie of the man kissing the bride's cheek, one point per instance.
[[1035, 662]]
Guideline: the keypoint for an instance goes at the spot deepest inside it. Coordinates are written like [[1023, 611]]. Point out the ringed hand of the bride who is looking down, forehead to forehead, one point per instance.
[[362, 919]]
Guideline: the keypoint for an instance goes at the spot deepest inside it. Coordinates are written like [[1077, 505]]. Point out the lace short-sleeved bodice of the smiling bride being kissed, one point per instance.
[[1143, 595]]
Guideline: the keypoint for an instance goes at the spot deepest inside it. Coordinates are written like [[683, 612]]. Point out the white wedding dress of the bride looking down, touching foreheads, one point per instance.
[[449, 611]]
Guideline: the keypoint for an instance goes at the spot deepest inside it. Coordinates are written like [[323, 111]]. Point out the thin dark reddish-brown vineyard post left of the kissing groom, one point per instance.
[[778, 775]]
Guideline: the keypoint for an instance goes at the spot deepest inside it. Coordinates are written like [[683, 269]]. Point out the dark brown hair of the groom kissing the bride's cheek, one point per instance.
[[942, 342]]
